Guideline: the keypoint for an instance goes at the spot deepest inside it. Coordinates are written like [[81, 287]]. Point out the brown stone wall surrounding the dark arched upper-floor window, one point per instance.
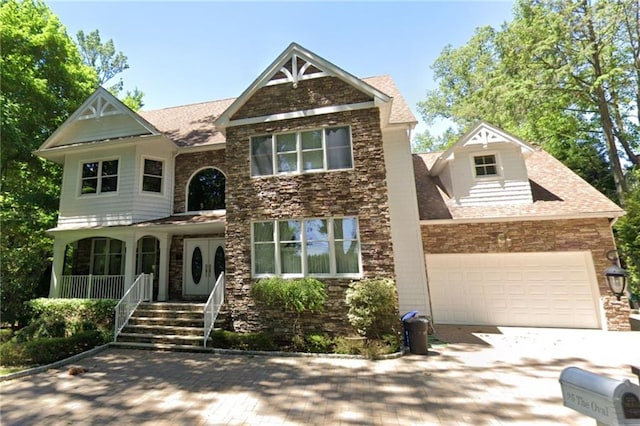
[[186, 166]]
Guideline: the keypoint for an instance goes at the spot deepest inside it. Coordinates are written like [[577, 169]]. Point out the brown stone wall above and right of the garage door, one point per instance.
[[534, 236]]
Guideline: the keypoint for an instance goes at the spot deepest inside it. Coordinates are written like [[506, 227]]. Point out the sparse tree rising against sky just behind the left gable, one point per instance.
[[108, 63]]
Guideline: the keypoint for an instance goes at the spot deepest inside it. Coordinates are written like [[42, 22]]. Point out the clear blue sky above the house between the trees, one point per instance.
[[188, 52]]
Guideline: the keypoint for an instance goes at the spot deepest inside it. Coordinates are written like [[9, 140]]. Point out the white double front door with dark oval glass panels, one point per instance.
[[204, 262]]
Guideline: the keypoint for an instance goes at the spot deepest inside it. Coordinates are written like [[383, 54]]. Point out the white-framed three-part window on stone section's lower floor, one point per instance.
[[306, 247]]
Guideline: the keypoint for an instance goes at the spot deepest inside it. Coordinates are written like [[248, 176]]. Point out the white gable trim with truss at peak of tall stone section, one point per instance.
[[287, 67]]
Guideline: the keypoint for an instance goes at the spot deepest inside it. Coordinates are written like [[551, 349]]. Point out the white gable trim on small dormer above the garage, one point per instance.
[[481, 133]]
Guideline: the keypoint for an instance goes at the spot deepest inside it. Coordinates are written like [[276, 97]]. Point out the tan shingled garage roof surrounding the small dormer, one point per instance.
[[557, 192]]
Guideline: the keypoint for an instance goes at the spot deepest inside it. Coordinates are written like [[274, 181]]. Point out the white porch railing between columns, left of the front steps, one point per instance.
[[92, 286]]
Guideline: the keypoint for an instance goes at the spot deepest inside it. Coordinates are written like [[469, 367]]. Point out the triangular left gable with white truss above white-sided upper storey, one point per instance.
[[115, 117]]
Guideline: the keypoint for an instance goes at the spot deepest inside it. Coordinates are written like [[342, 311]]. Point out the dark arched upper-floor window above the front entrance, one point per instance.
[[206, 191]]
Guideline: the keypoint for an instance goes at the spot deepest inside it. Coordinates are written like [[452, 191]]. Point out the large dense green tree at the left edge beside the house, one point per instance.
[[43, 81]]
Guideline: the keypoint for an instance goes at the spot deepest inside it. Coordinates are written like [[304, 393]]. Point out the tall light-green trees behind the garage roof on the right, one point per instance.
[[562, 73]]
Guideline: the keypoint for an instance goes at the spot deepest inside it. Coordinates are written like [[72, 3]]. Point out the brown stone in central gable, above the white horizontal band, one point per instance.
[[312, 93]]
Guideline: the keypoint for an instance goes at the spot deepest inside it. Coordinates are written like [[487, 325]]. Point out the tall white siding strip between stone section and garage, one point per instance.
[[411, 279]]
